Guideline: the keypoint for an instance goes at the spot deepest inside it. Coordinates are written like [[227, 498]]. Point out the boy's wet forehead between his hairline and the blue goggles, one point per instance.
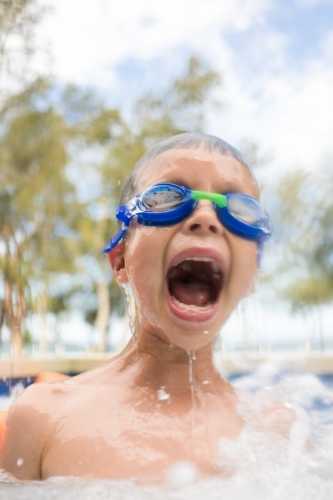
[[188, 166]]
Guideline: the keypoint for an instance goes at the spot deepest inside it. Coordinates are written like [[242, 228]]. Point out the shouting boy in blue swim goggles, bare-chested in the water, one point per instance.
[[190, 254]]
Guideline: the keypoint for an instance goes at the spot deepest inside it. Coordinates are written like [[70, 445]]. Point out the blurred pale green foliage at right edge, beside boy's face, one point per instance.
[[303, 221]]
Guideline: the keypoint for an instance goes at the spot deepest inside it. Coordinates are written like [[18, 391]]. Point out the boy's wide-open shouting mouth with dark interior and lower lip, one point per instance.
[[194, 285]]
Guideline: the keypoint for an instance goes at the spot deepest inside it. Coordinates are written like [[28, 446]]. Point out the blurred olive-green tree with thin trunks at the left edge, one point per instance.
[[34, 199]]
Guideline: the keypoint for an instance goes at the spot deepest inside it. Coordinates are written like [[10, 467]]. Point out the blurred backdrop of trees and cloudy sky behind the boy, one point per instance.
[[87, 86]]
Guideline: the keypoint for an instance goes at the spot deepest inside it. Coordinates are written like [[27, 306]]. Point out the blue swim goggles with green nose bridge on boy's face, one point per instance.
[[166, 204]]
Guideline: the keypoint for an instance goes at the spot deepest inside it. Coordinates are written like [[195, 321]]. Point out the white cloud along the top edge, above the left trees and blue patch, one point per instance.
[[90, 38]]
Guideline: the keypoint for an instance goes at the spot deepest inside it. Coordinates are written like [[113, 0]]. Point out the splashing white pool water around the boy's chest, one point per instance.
[[267, 466]]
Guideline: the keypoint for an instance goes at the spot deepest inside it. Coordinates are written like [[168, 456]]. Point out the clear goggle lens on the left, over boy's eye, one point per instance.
[[162, 198]]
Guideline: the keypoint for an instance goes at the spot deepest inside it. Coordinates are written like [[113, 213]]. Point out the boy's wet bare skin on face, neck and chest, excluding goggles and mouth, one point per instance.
[[135, 415]]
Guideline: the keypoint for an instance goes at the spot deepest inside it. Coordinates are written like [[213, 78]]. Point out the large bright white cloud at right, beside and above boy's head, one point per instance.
[[286, 107]]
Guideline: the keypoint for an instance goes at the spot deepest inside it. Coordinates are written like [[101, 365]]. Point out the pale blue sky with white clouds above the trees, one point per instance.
[[275, 58]]
